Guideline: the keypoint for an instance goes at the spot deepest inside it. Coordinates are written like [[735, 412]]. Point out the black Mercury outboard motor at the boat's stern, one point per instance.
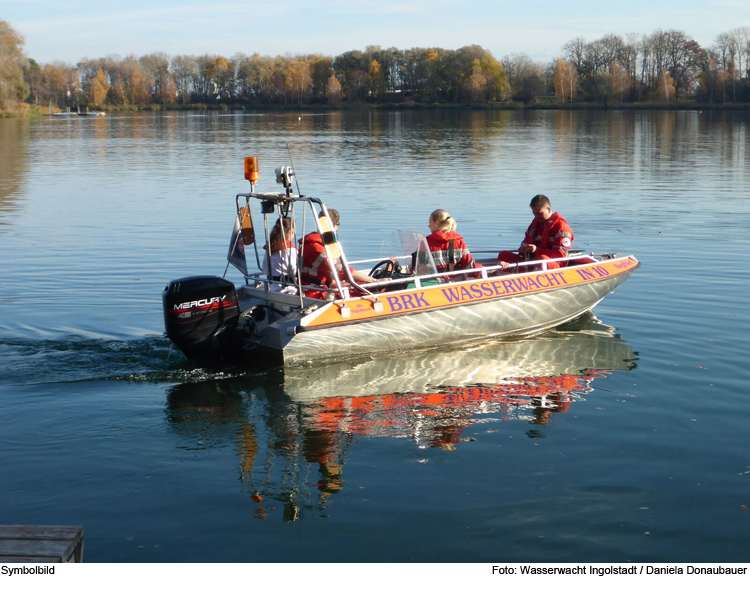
[[199, 313]]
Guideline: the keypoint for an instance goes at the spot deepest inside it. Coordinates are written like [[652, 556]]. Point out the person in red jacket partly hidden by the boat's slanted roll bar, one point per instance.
[[315, 268]]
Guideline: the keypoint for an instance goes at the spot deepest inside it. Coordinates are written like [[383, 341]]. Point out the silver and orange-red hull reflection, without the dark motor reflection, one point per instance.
[[432, 397]]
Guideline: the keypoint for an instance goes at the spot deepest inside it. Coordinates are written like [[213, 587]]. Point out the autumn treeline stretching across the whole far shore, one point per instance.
[[664, 66]]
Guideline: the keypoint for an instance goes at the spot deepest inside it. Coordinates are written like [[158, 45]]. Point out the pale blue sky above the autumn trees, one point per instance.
[[71, 30]]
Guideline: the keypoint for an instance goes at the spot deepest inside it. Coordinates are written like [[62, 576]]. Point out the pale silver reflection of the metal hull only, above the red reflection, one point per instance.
[[585, 344]]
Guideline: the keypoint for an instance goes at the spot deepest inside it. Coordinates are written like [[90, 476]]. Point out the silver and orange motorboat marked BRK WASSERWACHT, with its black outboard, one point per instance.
[[271, 319]]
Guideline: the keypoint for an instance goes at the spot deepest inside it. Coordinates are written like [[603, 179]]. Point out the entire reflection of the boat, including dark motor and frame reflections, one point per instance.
[[295, 428]]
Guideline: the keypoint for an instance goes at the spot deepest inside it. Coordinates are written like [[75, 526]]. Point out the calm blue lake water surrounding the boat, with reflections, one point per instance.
[[622, 437]]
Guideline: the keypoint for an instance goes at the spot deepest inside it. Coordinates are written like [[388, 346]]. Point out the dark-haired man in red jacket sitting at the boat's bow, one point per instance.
[[548, 237]]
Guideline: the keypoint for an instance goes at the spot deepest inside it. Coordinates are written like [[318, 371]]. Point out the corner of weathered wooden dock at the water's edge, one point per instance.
[[41, 543]]
